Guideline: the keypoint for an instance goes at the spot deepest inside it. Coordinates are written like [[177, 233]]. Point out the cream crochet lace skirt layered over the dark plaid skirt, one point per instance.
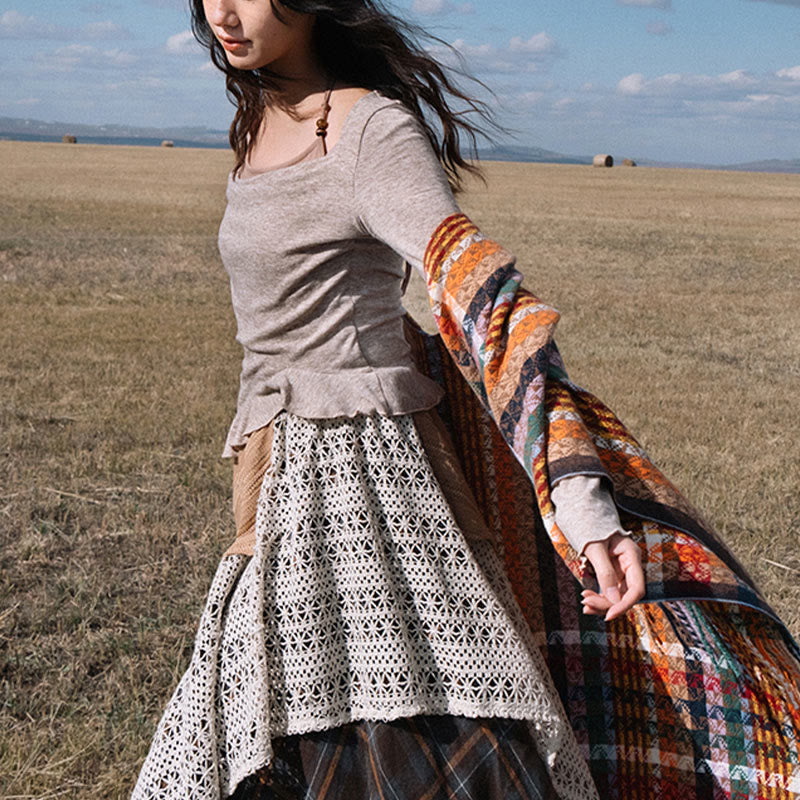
[[363, 600]]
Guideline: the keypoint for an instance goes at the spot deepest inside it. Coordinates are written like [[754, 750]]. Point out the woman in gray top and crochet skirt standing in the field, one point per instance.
[[361, 634]]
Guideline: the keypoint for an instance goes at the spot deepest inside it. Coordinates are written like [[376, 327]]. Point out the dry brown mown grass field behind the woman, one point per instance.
[[118, 373]]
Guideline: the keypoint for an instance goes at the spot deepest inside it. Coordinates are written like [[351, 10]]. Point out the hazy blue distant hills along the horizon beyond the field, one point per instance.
[[39, 131]]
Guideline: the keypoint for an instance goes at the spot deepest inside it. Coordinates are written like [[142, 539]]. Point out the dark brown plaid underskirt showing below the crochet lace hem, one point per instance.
[[417, 758]]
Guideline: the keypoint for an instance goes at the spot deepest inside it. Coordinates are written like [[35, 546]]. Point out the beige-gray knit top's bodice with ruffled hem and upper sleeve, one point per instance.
[[314, 252]]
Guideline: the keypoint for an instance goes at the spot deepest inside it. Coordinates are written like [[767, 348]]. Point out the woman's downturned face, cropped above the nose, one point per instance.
[[253, 37]]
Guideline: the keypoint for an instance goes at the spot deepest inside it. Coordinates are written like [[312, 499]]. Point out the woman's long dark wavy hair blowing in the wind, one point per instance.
[[360, 43]]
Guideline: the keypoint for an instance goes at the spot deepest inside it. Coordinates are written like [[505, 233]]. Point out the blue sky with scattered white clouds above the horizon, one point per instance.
[[716, 81]]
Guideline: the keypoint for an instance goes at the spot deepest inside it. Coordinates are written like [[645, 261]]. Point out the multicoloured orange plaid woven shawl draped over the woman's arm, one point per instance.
[[695, 693]]
